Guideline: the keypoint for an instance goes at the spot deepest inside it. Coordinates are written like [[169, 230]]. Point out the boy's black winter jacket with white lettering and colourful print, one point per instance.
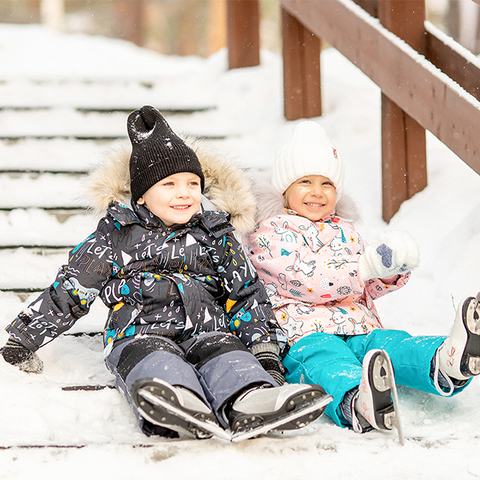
[[175, 282]]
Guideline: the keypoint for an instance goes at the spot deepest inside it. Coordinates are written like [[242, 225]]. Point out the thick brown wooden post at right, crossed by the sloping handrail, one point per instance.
[[404, 165]]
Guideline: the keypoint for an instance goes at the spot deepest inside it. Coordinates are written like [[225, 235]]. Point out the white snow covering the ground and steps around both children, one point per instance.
[[242, 112]]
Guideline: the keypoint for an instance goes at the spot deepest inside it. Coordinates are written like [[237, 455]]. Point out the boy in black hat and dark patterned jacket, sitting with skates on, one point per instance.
[[186, 310]]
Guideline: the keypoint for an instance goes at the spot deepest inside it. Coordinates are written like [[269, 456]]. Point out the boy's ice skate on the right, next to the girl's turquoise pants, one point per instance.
[[262, 410]]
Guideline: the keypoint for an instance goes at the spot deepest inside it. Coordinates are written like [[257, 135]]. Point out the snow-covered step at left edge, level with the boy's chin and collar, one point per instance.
[[35, 227]]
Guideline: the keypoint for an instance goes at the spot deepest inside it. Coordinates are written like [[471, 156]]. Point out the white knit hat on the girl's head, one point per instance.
[[308, 152]]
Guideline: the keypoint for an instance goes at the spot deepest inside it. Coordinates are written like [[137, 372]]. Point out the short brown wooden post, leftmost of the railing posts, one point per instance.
[[243, 33]]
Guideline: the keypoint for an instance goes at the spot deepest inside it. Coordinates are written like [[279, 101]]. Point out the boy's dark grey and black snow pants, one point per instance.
[[214, 365]]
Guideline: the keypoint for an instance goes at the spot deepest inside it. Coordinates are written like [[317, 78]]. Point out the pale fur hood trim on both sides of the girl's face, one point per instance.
[[270, 203]]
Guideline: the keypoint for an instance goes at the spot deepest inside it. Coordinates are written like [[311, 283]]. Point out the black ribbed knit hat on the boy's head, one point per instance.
[[157, 152]]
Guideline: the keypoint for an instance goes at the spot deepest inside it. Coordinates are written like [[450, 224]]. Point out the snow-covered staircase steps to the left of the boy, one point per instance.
[[46, 150]]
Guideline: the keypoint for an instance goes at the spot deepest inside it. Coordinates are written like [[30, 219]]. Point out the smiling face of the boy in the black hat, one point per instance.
[[175, 199]]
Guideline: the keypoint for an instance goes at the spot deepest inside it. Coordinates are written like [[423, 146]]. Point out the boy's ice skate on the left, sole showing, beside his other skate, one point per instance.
[[175, 408]]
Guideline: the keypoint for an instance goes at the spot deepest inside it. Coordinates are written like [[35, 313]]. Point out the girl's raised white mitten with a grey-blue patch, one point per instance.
[[390, 254]]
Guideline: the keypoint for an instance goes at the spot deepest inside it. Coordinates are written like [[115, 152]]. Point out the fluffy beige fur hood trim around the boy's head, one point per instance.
[[226, 185]]
